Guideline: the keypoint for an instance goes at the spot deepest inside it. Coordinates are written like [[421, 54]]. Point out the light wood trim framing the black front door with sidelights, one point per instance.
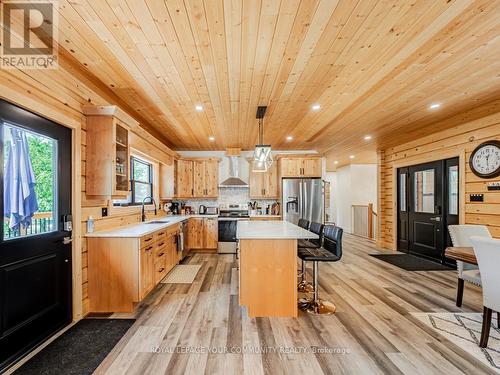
[[421, 159]]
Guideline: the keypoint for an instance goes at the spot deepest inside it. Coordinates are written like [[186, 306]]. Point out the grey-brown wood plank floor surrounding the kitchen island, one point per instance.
[[373, 331]]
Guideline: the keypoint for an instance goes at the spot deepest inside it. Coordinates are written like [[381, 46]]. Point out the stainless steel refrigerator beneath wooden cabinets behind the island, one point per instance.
[[303, 198]]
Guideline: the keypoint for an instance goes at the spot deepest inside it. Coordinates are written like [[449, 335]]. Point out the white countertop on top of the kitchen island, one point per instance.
[[272, 230]]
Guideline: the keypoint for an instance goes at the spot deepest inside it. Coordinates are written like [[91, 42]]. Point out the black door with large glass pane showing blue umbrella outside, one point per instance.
[[35, 255]]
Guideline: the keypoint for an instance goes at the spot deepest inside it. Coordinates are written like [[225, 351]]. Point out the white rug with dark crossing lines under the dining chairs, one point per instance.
[[464, 330]]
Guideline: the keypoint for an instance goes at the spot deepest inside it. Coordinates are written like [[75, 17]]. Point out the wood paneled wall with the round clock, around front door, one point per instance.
[[458, 141]]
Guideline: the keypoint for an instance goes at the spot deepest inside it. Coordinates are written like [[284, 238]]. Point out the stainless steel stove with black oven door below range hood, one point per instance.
[[229, 215]]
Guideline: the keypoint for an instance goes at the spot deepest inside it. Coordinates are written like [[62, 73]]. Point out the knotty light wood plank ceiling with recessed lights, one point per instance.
[[374, 66]]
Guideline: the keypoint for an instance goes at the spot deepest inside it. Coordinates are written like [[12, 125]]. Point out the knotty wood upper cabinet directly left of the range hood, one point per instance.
[[196, 178]]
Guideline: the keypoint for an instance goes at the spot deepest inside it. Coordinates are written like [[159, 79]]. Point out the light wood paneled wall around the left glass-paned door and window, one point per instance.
[[59, 96]]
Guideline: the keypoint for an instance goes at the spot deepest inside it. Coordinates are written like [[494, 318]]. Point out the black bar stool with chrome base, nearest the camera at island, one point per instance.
[[330, 251]]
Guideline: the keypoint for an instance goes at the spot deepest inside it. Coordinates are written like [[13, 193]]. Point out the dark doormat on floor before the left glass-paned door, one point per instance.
[[80, 350]]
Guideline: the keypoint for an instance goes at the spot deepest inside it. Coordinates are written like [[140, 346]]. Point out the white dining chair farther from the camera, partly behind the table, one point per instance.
[[460, 237]]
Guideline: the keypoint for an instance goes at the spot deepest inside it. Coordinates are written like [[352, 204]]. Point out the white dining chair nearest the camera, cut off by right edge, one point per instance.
[[487, 252]]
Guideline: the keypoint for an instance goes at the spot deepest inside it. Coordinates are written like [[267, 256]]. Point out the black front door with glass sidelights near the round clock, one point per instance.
[[428, 201]]
